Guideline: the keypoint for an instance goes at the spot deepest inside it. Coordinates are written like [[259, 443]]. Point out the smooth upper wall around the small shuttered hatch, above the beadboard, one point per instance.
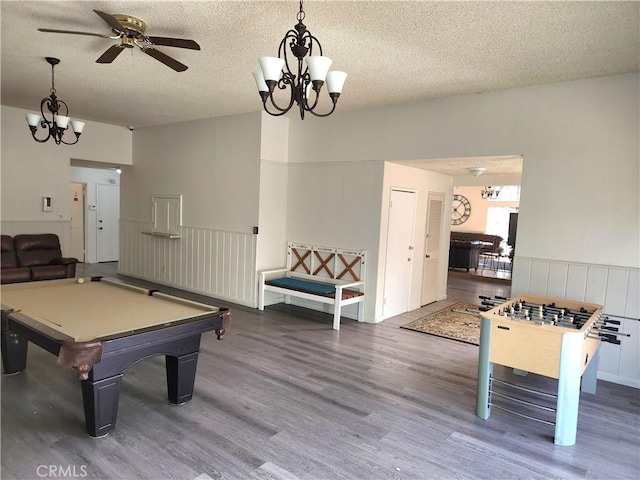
[[213, 163]]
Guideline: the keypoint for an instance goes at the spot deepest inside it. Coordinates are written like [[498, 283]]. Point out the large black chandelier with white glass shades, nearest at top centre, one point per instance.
[[308, 78]]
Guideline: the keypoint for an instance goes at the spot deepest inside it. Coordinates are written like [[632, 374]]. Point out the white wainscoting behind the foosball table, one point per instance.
[[616, 288]]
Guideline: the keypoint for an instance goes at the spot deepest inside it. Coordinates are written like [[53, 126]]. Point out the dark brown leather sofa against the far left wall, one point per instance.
[[39, 254]]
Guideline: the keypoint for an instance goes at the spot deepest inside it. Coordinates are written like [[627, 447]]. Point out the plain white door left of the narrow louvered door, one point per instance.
[[397, 282]]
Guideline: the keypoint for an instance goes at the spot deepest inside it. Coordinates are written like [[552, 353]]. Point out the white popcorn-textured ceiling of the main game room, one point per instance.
[[394, 52]]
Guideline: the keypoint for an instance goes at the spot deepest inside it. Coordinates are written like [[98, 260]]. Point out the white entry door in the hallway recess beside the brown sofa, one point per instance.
[[108, 210]]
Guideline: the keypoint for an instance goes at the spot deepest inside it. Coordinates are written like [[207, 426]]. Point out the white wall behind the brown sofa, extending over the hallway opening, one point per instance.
[[32, 170]]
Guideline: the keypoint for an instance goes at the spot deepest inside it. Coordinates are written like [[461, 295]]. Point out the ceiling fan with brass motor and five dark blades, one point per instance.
[[130, 30]]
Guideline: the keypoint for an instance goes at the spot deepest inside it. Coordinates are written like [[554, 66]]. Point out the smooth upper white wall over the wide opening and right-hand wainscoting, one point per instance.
[[580, 142]]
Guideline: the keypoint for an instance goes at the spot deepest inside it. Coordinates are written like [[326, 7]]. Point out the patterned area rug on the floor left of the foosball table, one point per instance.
[[451, 322]]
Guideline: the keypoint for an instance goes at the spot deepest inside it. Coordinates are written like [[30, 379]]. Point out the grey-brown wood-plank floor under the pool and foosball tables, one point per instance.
[[283, 396]]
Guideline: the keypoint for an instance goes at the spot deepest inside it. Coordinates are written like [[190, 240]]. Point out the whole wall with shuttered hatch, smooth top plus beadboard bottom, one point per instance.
[[215, 164]]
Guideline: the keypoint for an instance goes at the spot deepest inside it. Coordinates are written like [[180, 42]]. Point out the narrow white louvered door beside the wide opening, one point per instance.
[[433, 248]]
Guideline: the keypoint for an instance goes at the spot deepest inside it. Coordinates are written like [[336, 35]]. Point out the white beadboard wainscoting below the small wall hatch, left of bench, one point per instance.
[[211, 262]]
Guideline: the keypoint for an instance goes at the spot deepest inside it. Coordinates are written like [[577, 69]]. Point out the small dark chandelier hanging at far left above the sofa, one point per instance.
[[58, 123]]
